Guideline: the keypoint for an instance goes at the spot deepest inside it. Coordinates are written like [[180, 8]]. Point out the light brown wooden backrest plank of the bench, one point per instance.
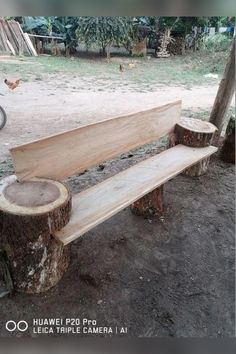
[[65, 154]]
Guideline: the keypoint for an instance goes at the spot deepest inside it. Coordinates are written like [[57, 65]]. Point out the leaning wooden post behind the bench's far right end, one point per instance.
[[224, 94]]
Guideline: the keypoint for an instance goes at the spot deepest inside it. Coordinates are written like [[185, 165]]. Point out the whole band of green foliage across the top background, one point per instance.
[[105, 31]]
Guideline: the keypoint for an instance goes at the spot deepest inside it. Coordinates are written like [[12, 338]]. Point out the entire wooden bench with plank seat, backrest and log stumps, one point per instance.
[[40, 204]]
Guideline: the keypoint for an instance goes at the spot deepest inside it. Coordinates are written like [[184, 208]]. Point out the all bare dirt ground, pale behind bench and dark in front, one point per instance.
[[169, 277]]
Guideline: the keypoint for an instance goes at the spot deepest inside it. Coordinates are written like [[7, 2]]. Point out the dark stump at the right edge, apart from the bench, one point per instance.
[[227, 153]]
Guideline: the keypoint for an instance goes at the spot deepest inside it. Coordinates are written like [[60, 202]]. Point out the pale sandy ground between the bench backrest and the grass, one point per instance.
[[38, 109]]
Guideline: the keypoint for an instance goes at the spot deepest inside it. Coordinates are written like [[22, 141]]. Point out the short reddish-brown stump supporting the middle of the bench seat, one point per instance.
[[150, 205]]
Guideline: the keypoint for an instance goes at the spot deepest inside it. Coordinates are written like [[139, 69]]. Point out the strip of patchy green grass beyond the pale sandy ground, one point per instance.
[[188, 70]]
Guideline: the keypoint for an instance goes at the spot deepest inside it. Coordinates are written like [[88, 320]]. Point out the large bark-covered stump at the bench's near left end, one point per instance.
[[30, 212]]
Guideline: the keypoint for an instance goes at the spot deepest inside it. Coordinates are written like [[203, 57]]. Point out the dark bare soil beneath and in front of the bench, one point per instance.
[[173, 277]]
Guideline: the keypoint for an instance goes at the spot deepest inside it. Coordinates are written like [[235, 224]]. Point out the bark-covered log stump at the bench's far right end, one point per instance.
[[195, 133]]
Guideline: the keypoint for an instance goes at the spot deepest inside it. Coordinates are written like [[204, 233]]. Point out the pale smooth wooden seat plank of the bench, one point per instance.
[[96, 204]]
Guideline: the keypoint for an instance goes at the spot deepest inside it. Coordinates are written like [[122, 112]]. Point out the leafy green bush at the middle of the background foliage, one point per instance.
[[105, 31]]
